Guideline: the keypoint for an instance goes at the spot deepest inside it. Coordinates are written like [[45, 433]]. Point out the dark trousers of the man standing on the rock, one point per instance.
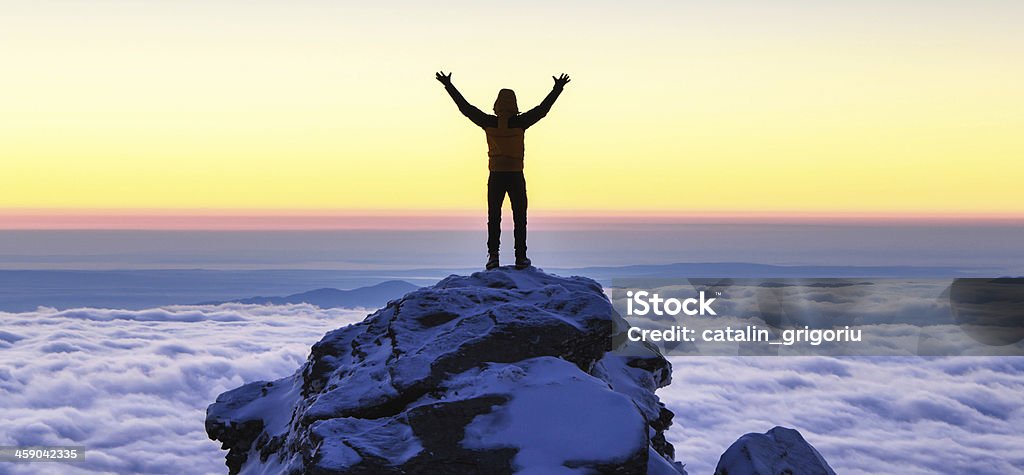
[[514, 184]]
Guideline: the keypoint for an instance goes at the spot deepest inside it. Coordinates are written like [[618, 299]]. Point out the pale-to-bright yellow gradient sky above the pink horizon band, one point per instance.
[[858, 107]]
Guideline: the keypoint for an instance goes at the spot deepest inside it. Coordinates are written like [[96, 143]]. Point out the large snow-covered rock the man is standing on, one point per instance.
[[500, 372]]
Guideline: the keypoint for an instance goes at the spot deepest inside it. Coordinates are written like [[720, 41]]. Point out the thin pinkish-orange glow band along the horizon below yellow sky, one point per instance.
[[458, 220]]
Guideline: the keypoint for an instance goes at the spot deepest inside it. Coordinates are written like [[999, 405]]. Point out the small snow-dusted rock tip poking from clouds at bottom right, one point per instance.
[[779, 452]]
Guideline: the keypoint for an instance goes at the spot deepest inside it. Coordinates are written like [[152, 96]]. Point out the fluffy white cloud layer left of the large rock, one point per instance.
[[133, 386]]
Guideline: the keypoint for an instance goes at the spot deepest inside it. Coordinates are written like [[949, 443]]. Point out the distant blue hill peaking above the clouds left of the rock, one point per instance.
[[372, 296]]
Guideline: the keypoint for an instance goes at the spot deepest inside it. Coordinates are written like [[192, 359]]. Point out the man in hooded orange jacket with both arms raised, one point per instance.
[[505, 132]]
